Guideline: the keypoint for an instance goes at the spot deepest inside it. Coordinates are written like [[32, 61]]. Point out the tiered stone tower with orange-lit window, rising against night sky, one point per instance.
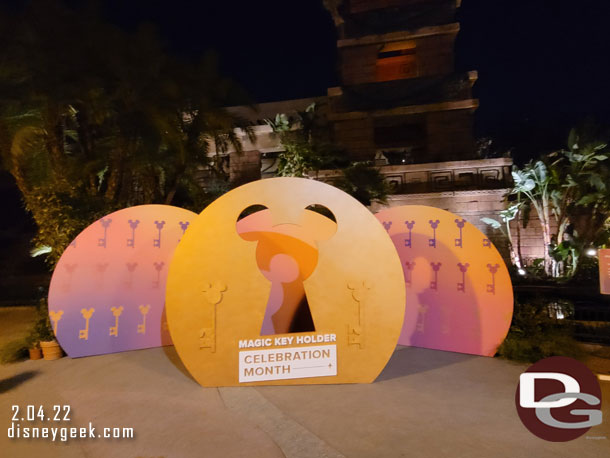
[[401, 100]]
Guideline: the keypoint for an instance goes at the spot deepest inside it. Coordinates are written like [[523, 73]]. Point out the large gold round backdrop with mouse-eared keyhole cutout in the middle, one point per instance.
[[307, 290]]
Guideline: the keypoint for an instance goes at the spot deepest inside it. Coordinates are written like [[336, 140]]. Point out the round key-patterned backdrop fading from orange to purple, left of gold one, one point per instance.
[[107, 292]]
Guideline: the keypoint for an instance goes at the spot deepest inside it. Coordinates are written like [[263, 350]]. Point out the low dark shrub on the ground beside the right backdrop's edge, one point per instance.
[[535, 333]]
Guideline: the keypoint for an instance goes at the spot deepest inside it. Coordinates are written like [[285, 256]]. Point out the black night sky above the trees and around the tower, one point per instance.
[[544, 65]]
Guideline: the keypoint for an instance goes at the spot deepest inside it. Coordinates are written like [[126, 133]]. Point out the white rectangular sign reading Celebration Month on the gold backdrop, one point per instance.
[[287, 363]]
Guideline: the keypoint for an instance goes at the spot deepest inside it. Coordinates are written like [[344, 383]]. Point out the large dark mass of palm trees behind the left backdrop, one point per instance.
[[93, 119]]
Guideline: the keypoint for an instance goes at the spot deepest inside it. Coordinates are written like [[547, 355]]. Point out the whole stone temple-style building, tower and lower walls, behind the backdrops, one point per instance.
[[402, 107]]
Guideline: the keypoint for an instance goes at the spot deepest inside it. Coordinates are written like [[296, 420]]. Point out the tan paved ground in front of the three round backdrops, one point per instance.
[[425, 404]]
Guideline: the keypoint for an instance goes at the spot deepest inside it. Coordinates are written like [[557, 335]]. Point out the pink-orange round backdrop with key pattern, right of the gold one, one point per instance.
[[459, 292]]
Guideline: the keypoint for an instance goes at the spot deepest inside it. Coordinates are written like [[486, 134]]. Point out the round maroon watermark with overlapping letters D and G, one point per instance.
[[559, 399]]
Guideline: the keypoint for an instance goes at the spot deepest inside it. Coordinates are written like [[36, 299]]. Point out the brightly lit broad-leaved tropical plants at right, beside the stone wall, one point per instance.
[[569, 191]]
